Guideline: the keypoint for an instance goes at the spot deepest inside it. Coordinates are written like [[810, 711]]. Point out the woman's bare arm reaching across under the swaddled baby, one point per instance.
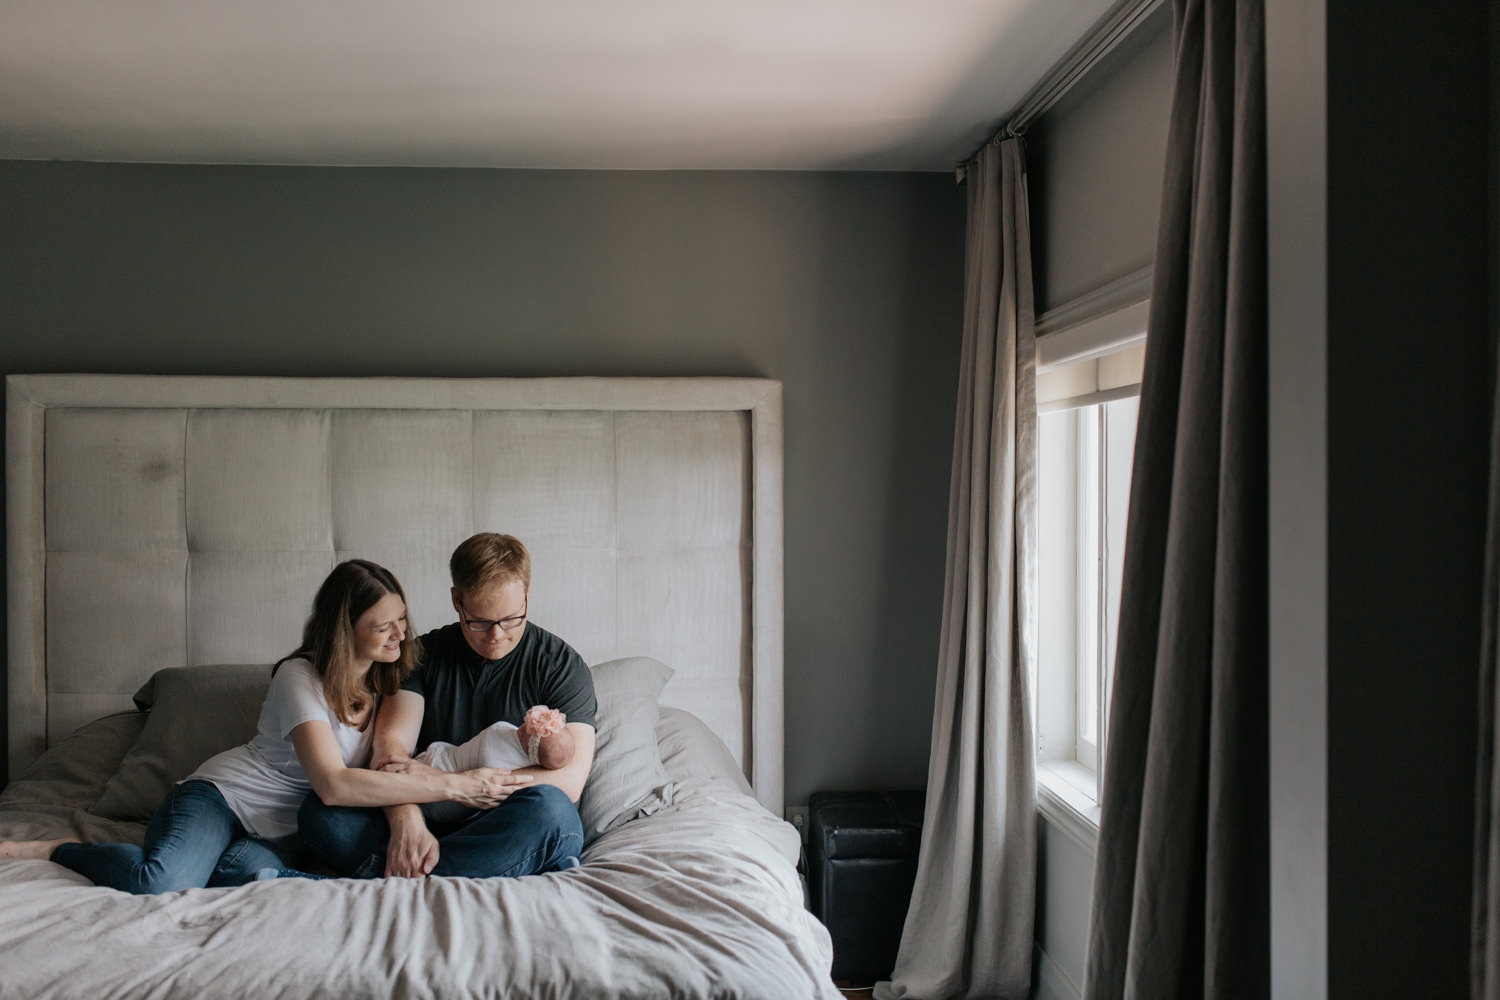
[[337, 785]]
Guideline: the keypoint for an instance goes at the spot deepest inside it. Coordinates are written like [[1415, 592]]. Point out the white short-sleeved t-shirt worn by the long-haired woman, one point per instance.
[[263, 782]]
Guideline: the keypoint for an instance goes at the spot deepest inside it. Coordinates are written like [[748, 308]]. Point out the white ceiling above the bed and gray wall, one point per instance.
[[757, 85]]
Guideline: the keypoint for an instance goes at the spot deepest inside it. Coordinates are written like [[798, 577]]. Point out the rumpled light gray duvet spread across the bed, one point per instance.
[[698, 900]]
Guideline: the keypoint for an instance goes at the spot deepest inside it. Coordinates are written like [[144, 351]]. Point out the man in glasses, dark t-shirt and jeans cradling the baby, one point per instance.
[[490, 666]]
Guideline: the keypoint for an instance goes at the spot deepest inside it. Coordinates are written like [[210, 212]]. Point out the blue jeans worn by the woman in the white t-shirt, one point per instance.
[[193, 842]]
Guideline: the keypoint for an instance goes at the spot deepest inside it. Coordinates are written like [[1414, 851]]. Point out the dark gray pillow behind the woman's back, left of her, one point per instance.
[[193, 714]]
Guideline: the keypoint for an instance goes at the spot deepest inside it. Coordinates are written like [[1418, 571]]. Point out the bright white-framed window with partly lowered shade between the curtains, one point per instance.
[[1087, 440]]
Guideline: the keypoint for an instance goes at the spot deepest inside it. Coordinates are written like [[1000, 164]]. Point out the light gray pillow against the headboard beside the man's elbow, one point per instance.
[[628, 779]]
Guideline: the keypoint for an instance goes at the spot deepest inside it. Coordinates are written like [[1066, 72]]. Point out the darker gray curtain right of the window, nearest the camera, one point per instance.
[[1181, 893]]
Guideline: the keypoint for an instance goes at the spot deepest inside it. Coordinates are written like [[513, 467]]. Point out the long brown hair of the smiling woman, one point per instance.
[[328, 639]]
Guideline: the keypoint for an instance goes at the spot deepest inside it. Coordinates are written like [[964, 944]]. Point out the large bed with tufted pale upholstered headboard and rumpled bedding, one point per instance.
[[164, 540]]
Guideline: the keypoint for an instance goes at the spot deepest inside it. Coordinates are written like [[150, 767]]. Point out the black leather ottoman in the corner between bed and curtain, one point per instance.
[[860, 870]]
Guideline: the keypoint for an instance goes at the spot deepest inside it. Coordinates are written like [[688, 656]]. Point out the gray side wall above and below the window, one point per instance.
[[1094, 169]]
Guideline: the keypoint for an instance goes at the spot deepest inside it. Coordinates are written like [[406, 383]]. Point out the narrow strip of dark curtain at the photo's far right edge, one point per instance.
[[1484, 966]]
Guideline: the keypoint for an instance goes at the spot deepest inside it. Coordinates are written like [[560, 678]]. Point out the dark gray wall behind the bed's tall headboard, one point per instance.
[[847, 287]]
